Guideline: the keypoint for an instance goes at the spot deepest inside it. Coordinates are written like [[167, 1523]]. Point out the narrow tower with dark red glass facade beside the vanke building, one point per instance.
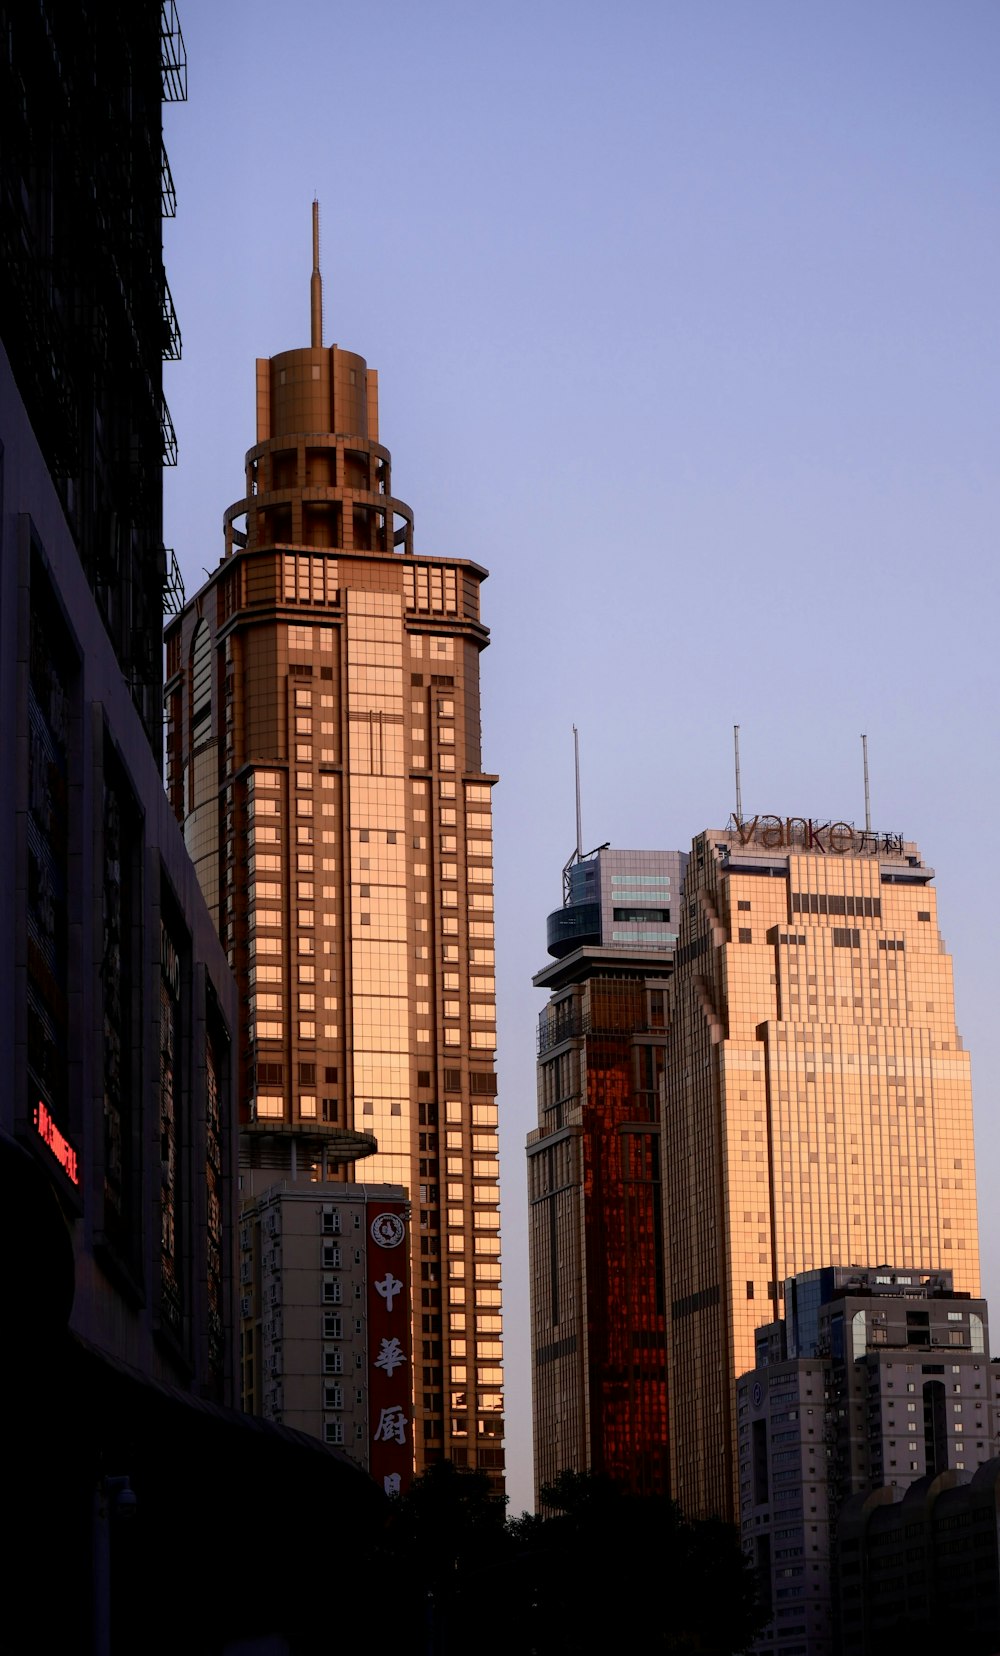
[[599, 1307]]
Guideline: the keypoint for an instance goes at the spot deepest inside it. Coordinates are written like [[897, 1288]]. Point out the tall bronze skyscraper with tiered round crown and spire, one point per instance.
[[324, 754]]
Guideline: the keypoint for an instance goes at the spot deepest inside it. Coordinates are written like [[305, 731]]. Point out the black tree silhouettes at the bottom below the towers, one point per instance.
[[599, 1571]]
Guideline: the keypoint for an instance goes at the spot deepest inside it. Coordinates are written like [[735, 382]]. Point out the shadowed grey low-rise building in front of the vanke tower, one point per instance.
[[872, 1380]]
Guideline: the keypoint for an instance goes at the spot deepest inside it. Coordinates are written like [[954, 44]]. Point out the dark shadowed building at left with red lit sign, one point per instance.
[[133, 1480]]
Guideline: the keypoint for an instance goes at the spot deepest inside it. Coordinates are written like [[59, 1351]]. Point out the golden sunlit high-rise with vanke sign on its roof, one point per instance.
[[819, 1102]]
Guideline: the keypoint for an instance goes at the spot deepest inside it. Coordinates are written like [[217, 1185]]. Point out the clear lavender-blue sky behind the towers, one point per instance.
[[686, 325]]
